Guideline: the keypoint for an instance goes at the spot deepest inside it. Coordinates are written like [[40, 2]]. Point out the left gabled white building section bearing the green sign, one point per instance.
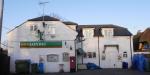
[[43, 39]]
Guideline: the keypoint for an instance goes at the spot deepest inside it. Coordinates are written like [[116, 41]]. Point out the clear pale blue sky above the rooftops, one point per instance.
[[131, 14]]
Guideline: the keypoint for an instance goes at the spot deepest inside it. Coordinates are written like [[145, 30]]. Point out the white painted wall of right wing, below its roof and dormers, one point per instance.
[[91, 44]]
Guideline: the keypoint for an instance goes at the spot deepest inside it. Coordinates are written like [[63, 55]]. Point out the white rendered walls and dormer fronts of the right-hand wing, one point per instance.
[[91, 45]]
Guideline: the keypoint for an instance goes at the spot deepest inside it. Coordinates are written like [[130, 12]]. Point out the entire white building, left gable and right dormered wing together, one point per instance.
[[64, 45]]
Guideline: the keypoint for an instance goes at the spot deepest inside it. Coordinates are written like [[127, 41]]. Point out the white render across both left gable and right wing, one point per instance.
[[116, 46]]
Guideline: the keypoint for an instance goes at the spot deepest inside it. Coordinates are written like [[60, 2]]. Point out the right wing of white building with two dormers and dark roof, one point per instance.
[[106, 46]]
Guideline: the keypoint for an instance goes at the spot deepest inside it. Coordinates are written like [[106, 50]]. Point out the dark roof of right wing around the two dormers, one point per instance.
[[118, 30]]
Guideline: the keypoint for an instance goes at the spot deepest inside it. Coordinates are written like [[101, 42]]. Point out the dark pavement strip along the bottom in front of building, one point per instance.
[[101, 72]]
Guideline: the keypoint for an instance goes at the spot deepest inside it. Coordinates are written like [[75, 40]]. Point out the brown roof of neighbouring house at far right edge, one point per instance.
[[145, 36]]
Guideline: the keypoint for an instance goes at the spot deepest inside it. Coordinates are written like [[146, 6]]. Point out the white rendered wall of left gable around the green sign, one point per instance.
[[22, 33]]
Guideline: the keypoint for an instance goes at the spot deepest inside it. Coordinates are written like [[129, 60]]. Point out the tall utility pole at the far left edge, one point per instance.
[[1, 18]]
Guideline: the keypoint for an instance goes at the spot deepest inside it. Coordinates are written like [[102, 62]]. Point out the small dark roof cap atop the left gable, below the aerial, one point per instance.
[[46, 18]]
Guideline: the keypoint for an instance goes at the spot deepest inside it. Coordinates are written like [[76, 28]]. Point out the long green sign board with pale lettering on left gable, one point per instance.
[[41, 44]]
